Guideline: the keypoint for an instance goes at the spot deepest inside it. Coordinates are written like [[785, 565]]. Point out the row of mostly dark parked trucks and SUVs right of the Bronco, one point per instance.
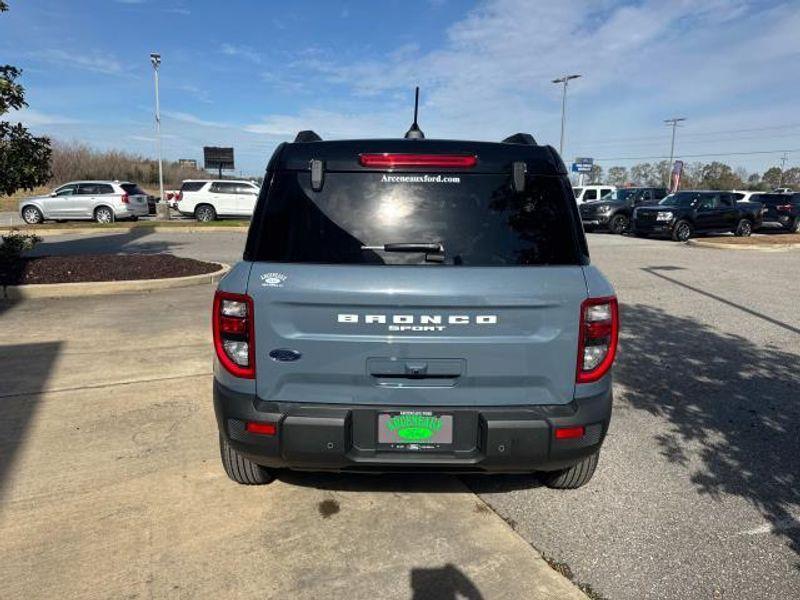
[[650, 211]]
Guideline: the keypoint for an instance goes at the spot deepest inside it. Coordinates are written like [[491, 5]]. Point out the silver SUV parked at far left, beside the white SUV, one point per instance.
[[101, 201]]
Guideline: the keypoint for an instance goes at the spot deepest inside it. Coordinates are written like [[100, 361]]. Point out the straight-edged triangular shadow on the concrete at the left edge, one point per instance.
[[18, 407]]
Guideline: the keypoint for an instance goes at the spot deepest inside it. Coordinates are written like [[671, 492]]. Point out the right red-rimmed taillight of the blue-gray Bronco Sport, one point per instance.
[[597, 343]]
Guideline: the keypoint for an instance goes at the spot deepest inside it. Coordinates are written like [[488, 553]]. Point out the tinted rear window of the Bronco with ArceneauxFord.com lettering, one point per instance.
[[478, 220]]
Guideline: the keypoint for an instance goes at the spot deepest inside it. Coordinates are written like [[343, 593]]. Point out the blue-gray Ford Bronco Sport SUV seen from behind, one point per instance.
[[414, 305]]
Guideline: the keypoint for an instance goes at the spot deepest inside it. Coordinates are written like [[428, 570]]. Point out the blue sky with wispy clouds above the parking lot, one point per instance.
[[251, 73]]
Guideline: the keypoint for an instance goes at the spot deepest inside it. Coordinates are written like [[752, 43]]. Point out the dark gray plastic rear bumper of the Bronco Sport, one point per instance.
[[324, 437]]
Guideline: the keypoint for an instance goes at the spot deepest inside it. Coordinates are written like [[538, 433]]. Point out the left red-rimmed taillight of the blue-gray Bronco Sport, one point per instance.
[[234, 337]]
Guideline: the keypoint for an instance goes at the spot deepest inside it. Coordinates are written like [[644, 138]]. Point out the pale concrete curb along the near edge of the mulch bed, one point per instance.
[[99, 288]]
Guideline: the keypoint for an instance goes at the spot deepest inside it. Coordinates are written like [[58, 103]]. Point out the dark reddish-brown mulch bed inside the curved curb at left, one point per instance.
[[100, 267]]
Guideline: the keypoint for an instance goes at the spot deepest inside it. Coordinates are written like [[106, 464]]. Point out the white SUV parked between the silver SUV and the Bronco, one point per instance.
[[207, 200]]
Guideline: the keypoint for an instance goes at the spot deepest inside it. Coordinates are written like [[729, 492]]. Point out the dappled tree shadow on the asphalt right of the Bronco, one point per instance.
[[729, 404]]
